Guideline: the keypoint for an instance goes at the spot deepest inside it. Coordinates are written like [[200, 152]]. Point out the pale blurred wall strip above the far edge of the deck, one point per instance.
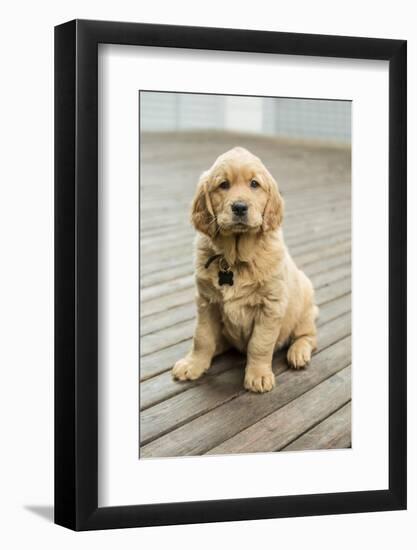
[[328, 120]]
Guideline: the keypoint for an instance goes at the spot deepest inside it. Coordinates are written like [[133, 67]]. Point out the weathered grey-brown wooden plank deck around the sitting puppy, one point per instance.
[[309, 408]]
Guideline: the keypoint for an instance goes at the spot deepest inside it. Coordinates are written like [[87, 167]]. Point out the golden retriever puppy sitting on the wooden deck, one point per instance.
[[250, 293]]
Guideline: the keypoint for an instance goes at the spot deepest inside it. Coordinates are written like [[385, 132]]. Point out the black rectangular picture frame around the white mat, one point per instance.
[[76, 272]]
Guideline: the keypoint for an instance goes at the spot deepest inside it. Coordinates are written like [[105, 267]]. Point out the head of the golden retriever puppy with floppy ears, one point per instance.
[[237, 195]]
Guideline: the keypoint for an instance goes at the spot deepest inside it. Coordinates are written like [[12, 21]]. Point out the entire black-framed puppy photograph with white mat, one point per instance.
[[230, 252]]
